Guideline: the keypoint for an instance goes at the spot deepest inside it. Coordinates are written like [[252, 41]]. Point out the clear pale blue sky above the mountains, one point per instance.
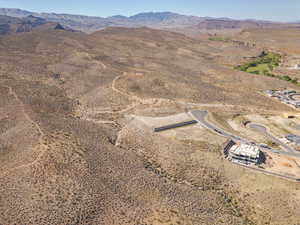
[[279, 10]]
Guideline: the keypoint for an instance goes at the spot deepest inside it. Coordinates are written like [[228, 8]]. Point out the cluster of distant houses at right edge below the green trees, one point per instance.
[[286, 96]]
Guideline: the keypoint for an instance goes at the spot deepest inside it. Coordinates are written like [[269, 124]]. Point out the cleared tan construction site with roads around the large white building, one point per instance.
[[280, 160]]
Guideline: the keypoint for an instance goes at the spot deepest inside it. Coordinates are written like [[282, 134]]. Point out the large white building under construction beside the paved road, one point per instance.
[[246, 154]]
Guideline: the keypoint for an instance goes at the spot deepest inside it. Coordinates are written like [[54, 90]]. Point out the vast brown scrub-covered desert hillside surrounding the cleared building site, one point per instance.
[[72, 153]]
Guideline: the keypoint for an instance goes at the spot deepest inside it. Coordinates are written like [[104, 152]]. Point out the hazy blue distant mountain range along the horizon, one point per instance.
[[159, 20]]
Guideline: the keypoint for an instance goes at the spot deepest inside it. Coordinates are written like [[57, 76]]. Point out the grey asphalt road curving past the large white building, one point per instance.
[[201, 115]]
